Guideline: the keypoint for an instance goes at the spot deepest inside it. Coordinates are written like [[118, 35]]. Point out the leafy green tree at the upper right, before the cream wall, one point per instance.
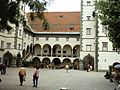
[[109, 14]]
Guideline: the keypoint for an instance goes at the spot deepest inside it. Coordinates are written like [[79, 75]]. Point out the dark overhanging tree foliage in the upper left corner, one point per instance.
[[10, 11]]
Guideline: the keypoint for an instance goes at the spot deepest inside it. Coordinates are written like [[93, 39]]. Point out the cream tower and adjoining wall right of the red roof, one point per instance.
[[96, 48]]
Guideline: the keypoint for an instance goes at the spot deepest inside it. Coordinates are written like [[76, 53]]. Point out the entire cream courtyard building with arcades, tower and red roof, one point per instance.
[[72, 38]]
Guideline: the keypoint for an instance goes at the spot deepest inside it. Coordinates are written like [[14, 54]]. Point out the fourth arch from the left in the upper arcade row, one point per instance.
[[67, 51]]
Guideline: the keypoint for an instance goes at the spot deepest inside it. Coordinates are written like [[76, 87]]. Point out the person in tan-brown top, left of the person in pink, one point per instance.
[[22, 75]]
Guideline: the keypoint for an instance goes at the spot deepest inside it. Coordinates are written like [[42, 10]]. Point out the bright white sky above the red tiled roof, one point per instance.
[[63, 5]]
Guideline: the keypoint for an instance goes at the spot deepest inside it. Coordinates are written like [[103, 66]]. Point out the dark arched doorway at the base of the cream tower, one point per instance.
[[88, 60]]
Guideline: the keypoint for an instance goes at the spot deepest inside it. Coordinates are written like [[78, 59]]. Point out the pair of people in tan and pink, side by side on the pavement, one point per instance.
[[22, 76]]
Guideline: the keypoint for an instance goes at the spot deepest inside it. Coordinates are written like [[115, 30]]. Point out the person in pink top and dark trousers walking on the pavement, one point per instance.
[[35, 77]]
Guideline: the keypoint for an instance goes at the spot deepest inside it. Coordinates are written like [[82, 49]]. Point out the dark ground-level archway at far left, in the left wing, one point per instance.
[[7, 58]]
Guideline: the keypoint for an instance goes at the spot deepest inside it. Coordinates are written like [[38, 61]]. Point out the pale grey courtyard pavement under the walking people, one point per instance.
[[55, 79]]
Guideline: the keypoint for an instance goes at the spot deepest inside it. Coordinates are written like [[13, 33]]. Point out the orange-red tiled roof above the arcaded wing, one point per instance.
[[58, 22]]
